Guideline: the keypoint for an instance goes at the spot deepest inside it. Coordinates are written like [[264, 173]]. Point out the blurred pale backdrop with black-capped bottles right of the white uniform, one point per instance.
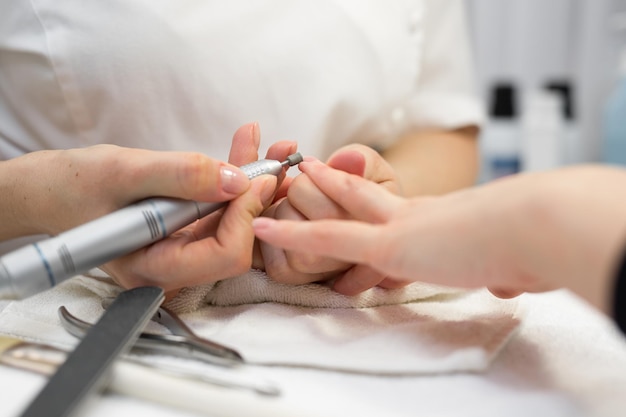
[[553, 75]]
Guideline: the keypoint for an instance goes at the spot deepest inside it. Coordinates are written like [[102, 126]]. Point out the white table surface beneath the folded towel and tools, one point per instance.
[[566, 360]]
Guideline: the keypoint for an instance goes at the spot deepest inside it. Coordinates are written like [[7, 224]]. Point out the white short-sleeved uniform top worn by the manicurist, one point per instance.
[[185, 74]]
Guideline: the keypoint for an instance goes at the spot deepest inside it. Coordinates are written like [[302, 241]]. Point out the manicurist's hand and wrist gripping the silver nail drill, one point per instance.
[[74, 186]]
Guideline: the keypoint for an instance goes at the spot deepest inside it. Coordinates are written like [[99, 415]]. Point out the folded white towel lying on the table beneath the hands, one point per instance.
[[417, 329]]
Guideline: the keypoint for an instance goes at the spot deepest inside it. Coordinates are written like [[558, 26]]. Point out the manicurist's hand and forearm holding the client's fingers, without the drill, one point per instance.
[[428, 162]]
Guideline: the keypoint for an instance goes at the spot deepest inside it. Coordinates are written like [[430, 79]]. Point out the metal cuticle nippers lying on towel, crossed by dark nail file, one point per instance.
[[183, 342]]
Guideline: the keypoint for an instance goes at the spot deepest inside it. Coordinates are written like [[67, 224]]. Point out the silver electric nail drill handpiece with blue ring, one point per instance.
[[41, 265]]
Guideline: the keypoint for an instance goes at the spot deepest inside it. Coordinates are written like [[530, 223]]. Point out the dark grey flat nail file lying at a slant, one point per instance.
[[86, 368]]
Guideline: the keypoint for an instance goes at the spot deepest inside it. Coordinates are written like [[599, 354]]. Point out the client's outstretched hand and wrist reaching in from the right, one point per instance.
[[524, 233]]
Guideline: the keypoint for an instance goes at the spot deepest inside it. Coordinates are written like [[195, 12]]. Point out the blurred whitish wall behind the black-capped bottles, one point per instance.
[[532, 42]]
